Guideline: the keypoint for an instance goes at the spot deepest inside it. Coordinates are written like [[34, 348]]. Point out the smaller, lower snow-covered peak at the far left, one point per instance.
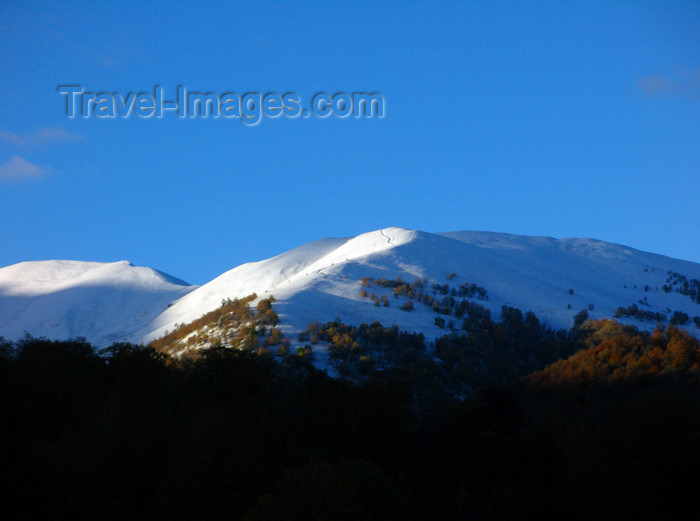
[[104, 302]]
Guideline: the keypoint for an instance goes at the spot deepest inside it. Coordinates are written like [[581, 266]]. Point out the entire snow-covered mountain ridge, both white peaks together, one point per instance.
[[322, 280]]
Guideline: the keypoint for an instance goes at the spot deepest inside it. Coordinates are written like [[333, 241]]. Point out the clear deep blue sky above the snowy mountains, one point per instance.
[[537, 118]]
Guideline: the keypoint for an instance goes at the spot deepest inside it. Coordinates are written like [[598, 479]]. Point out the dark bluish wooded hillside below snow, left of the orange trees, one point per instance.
[[482, 353]]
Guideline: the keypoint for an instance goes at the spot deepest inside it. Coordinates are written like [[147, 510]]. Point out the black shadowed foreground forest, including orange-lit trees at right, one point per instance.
[[611, 432]]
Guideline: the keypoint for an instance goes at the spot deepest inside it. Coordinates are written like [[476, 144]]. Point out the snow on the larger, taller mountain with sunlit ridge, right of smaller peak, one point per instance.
[[322, 280]]
